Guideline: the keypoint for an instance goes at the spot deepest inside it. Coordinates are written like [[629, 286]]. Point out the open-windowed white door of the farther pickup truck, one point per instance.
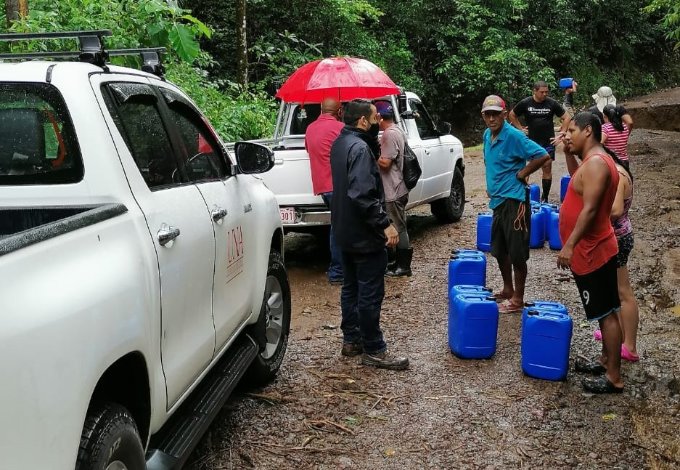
[[436, 164]]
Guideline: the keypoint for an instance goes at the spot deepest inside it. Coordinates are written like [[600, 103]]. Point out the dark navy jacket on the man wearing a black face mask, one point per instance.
[[358, 216]]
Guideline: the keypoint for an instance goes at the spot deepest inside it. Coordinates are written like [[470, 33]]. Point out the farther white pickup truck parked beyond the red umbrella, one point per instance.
[[439, 153]]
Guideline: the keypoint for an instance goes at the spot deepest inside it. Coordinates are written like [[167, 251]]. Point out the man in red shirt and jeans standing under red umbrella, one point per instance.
[[319, 137]]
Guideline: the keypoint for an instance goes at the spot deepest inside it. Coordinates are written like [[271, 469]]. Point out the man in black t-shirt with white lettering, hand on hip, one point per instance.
[[538, 111]]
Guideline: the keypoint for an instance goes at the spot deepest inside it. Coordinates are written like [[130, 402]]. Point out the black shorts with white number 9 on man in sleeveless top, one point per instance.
[[599, 291]]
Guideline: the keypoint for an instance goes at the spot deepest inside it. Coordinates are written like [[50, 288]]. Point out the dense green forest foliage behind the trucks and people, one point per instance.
[[453, 52]]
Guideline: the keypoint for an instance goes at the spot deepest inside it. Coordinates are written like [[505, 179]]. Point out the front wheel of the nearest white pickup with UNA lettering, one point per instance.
[[276, 312]]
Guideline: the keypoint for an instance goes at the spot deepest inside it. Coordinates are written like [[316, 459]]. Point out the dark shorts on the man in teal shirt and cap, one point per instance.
[[510, 230]]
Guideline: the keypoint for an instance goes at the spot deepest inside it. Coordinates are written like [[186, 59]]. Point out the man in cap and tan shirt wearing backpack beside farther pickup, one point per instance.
[[391, 164]]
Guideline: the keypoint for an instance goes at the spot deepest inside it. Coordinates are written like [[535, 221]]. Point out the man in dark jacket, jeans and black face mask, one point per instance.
[[362, 229]]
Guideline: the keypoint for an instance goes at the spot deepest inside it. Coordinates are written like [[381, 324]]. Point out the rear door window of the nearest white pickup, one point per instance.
[[133, 107]]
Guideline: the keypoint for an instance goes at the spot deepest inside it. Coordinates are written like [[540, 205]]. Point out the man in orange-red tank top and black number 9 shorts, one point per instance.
[[590, 246]]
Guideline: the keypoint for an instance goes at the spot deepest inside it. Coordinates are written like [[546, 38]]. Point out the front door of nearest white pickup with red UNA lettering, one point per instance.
[[229, 207]]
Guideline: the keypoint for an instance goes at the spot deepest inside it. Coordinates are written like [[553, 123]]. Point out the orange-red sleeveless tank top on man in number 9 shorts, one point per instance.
[[599, 244]]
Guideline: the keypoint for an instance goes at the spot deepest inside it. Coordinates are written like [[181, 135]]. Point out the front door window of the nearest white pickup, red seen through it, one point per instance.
[[199, 152]]
